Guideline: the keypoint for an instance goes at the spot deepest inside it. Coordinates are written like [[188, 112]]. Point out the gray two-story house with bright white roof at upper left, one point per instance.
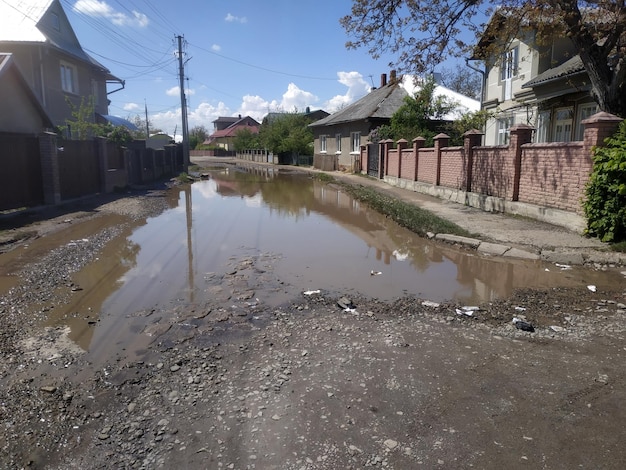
[[43, 44]]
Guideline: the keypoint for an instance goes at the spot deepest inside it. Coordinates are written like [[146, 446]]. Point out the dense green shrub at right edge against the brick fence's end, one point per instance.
[[605, 203]]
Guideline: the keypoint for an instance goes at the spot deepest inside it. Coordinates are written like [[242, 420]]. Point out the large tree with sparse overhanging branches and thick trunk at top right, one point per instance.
[[424, 33]]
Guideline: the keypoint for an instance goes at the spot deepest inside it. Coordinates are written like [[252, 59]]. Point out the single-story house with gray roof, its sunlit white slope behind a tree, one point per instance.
[[341, 135]]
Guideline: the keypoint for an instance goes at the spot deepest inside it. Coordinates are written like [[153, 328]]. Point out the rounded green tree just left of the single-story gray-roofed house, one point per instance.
[[287, 134]]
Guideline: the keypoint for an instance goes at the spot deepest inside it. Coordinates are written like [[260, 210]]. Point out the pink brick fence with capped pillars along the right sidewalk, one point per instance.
[[548, 175]]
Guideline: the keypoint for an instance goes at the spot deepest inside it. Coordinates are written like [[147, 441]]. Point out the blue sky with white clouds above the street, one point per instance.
[[244, 57]]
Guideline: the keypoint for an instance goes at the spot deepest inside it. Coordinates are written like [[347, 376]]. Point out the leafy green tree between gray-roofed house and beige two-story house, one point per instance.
[[419, 116]]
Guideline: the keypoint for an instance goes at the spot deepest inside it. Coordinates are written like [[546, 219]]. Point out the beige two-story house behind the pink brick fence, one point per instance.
[[544, 86]]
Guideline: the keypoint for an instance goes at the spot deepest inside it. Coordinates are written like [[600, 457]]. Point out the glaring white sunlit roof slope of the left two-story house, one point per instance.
[[19, 18]]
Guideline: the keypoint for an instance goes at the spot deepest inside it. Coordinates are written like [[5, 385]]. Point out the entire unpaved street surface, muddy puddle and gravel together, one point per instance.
[[171, 330]]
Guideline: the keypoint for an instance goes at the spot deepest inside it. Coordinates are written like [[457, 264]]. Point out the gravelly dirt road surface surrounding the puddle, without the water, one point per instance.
[[308, 385]]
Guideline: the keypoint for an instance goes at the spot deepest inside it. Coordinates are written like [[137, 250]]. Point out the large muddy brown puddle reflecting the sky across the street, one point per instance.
[[257, 237]]
